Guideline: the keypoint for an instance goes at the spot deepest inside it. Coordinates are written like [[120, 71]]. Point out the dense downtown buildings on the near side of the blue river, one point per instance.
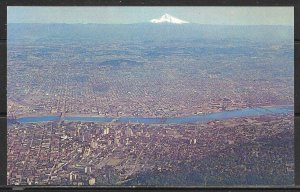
[[82, 153]]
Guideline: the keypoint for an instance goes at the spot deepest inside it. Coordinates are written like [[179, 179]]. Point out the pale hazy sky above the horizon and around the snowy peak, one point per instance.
[[128, 15]]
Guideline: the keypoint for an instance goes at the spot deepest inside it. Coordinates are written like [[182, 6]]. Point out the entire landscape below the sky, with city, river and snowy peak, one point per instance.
[[175, 112]]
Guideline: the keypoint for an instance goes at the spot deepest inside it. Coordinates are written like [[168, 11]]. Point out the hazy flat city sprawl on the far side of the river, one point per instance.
[[98, 79]]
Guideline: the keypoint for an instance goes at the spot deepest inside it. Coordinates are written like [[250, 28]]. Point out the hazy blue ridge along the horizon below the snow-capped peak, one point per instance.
[[147, 32]]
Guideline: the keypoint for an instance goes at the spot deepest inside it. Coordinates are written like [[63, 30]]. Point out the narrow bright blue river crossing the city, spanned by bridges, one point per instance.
[[169, 120]]
